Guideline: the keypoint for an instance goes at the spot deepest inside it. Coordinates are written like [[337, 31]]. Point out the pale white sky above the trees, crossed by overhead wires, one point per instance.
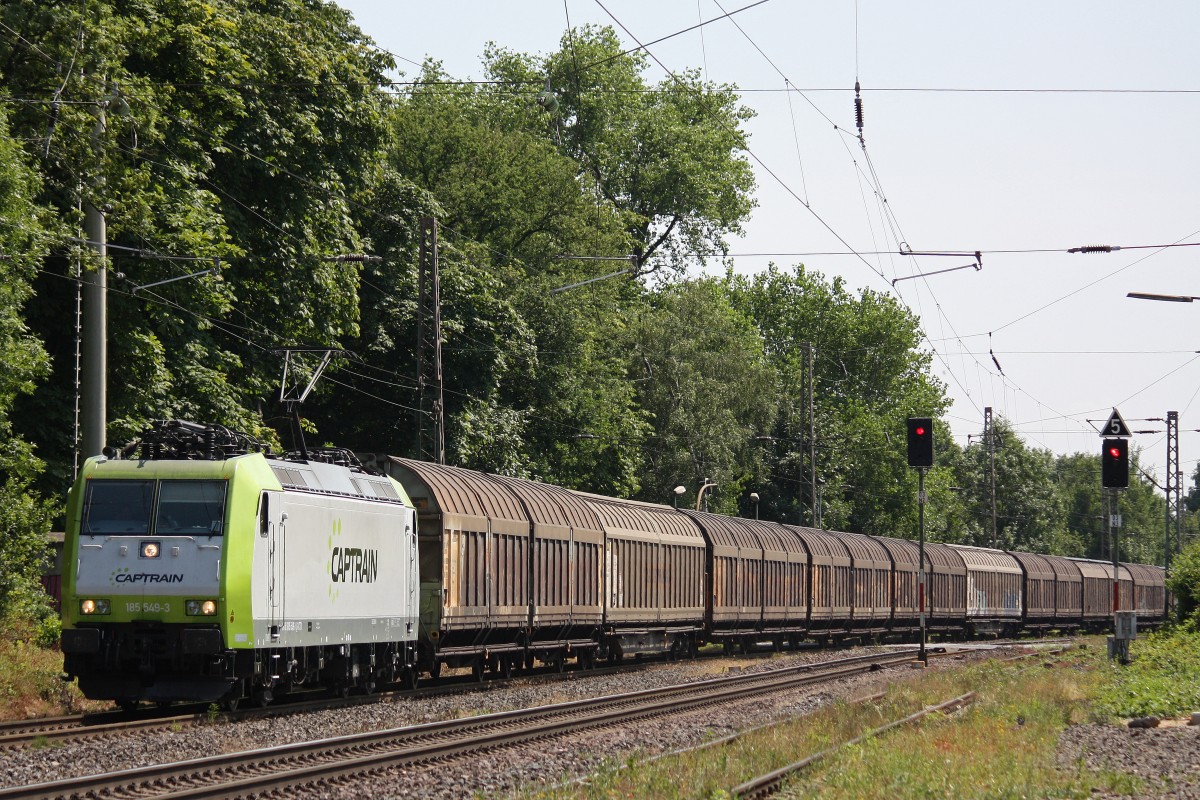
[[991, 171]]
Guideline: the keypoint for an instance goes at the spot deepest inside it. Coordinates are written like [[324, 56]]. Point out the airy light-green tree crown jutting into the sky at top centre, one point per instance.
[[669, 158]]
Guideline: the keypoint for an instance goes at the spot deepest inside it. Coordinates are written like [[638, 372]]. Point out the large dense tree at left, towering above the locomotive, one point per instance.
[[176, 122]]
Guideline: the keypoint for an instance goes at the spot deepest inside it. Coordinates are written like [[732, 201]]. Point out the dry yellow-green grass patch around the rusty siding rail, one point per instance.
[[1001, 747]]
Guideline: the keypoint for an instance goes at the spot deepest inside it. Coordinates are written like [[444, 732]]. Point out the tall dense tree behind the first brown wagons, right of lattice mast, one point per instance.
[[538, 380]]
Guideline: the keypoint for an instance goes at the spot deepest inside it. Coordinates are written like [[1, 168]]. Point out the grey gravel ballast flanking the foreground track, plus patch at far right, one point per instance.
[[553, 762]]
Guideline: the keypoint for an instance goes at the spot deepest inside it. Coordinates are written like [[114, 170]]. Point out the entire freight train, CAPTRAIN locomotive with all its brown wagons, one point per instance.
[[202, 568]]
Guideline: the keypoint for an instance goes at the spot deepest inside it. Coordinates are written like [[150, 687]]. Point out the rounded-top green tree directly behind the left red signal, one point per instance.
[[869, 375]]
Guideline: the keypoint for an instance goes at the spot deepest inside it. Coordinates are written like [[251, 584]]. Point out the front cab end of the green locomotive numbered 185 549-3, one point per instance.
[[146, 584]]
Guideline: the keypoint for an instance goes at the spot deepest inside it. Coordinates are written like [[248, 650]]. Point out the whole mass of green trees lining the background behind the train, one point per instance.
[[572, 194]]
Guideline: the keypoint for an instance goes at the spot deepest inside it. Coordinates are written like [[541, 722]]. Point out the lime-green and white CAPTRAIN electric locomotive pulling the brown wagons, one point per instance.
[[205, 569]]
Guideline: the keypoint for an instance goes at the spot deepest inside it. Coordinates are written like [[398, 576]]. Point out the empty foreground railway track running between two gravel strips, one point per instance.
[[314, 763]]
